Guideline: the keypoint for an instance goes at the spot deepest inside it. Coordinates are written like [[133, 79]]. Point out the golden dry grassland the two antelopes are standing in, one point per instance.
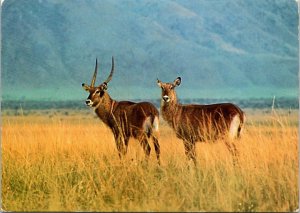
[[67, 161]]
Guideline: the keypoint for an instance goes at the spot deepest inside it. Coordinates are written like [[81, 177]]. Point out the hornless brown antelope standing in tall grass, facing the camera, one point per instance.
[[194, 123]]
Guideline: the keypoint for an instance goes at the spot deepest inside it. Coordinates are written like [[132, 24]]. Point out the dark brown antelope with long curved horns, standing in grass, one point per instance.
[[126, 119]]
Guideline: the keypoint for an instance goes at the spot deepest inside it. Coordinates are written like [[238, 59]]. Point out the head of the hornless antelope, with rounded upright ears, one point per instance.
[[168, 93]]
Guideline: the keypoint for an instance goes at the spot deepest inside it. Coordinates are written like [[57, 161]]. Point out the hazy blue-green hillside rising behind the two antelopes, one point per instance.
[[228, 48]]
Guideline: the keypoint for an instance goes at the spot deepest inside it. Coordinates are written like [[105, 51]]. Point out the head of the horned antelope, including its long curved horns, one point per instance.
[[96, 93]]
